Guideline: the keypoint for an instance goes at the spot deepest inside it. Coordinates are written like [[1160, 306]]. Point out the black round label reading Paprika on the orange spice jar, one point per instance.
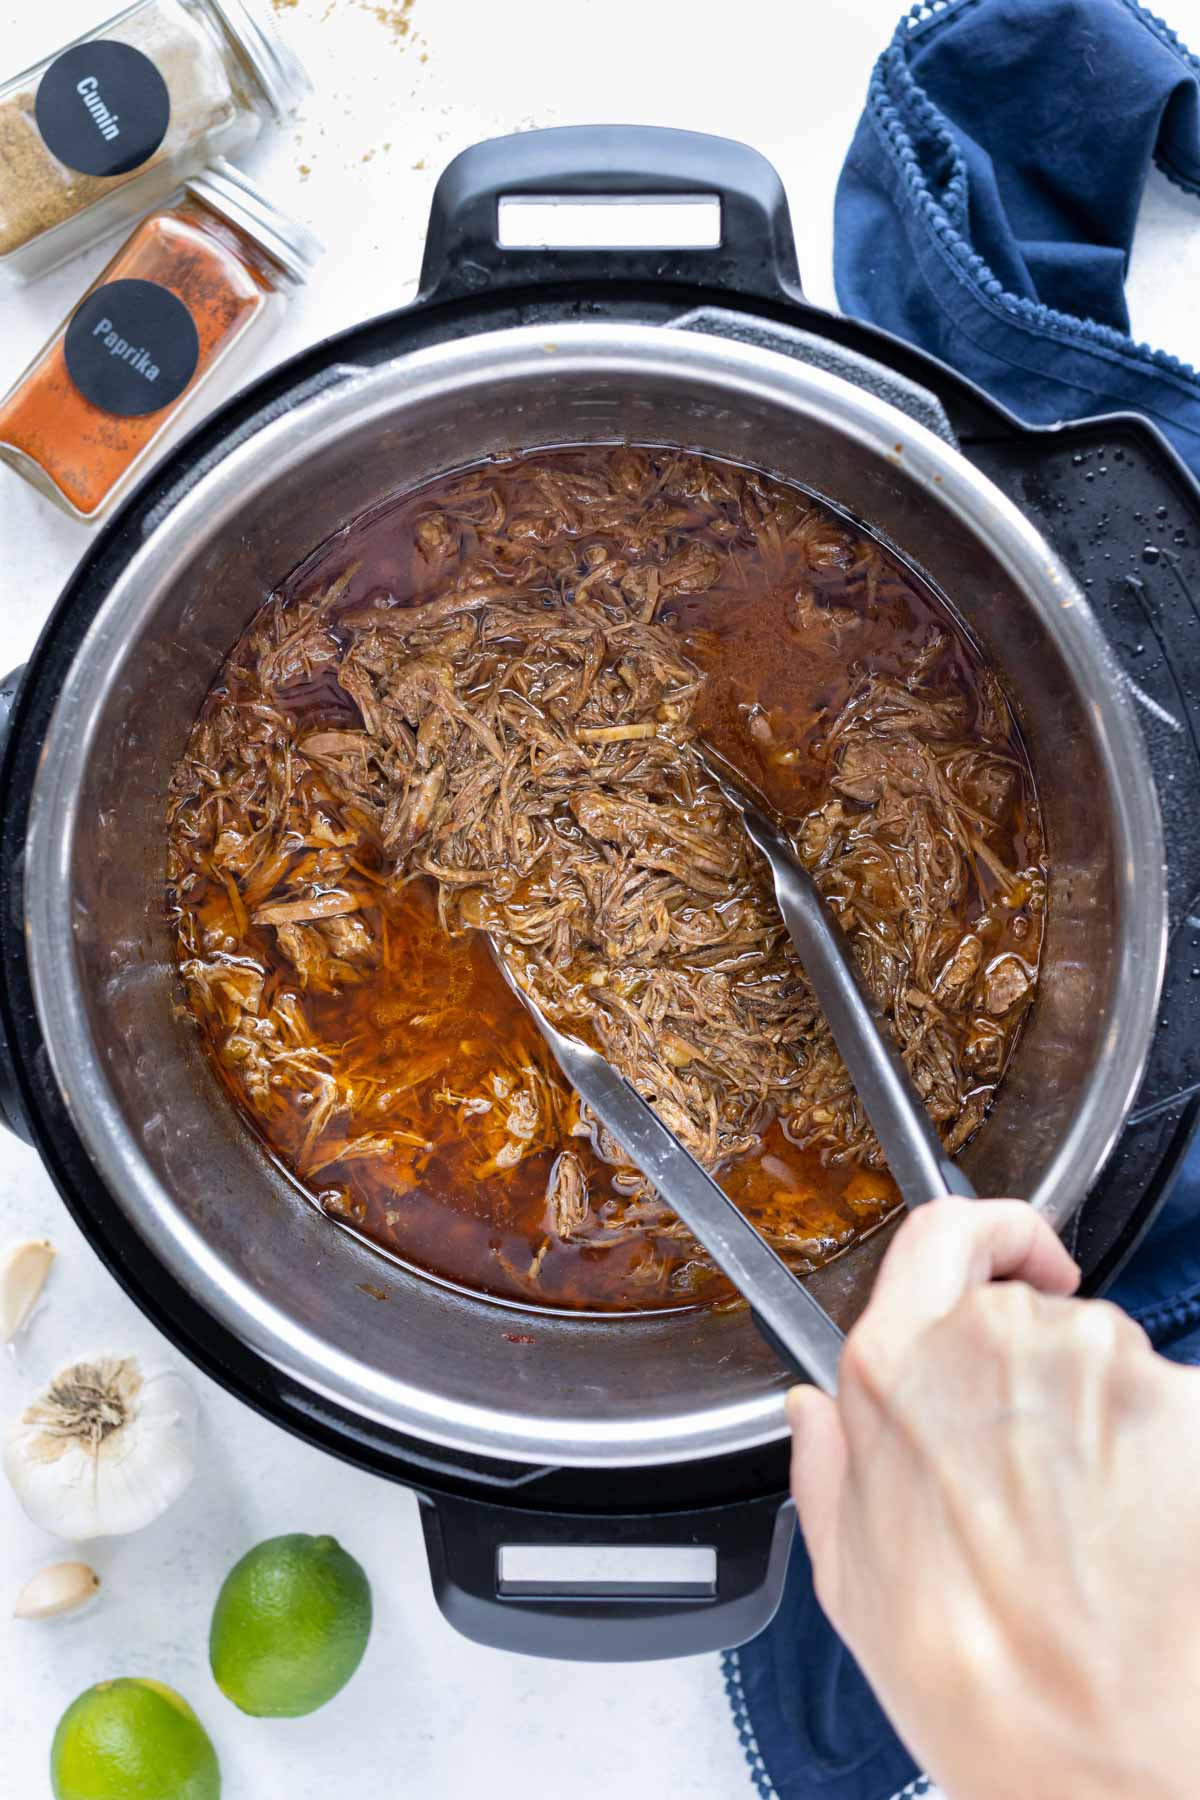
[[132, 348]]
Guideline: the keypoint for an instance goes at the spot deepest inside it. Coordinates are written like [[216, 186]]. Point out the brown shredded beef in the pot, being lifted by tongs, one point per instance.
[[524, 739]]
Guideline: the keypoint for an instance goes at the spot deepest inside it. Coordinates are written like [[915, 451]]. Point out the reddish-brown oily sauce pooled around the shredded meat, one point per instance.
[[787, 636]]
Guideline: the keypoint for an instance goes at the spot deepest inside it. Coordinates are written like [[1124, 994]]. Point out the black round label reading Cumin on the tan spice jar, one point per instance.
[[103, 109]]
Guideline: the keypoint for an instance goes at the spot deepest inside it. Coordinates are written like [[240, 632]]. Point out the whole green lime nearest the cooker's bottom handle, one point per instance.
[[291, 1626]]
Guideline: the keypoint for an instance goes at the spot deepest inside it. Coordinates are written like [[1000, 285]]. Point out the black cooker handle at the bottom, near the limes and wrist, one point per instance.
[[607, 1621]]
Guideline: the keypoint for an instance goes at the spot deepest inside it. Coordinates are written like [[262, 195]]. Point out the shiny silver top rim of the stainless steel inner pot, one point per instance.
[[445, 370]]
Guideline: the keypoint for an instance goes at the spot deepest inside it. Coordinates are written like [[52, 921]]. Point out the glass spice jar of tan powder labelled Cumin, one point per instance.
[[111, 125]]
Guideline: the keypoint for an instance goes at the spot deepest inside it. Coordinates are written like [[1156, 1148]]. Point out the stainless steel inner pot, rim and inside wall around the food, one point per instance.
[[175, 1156]]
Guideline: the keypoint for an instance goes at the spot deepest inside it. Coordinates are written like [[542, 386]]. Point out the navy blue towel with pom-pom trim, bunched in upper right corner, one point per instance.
[[989, 201]]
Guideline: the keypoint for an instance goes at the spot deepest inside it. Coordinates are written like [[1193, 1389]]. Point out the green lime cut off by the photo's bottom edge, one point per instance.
[[132, 1740]]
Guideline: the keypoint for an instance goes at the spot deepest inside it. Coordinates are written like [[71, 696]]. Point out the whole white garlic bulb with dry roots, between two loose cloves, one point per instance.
[[105, 1450]]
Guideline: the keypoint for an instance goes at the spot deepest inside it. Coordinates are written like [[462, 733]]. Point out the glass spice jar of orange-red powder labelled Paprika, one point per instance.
[[170, 310]]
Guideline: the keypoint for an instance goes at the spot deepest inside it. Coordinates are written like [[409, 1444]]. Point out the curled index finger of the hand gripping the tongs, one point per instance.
[[951, 1246]]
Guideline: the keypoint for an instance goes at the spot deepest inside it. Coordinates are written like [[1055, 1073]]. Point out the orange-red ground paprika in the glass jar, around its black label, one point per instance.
[[82, 451]]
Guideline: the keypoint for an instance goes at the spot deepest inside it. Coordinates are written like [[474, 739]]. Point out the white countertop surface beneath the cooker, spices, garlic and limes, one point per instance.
[[399, 94]]
